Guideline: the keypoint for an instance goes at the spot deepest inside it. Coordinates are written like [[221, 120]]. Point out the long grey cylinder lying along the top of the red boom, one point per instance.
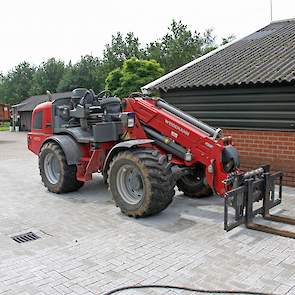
[[215, 133]]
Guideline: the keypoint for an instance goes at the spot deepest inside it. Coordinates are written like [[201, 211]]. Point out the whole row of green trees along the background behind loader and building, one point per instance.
[[179, 46]]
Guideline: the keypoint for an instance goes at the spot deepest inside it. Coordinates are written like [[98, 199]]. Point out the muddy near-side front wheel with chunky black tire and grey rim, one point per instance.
[[149, 189]]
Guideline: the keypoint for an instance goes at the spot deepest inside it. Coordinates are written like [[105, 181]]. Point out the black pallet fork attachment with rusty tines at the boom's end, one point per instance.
[[254, 186]]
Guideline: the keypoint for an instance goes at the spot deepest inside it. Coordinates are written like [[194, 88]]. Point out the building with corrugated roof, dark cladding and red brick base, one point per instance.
[[246, 87]]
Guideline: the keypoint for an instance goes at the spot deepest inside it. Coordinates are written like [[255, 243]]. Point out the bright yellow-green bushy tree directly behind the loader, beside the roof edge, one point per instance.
[[132, 75]]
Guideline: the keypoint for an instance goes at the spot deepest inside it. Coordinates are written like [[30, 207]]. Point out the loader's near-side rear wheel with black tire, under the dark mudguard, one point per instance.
[[63, 179]]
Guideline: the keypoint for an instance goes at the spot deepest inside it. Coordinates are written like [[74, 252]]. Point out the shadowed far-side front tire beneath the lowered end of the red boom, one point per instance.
[[194, 185]]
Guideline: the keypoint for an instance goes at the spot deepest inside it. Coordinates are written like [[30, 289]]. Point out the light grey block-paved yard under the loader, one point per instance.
[[88, 247]]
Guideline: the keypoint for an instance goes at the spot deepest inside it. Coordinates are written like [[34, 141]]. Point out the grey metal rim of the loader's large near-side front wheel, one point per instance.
[[130, 184]]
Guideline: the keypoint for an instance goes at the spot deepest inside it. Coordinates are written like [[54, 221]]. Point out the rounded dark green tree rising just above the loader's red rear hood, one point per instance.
[[47, 76]]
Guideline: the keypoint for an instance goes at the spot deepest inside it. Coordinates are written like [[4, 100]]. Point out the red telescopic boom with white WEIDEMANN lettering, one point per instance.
[[204, 149]]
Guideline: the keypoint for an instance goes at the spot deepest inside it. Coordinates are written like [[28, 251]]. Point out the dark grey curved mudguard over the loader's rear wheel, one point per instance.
[[69, 146]]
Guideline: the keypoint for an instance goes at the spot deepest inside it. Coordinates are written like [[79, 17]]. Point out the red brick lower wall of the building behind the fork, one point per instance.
[[257, 147]]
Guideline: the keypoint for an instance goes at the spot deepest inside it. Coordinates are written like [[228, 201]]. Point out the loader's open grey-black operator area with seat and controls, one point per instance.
[[88, 117]]
